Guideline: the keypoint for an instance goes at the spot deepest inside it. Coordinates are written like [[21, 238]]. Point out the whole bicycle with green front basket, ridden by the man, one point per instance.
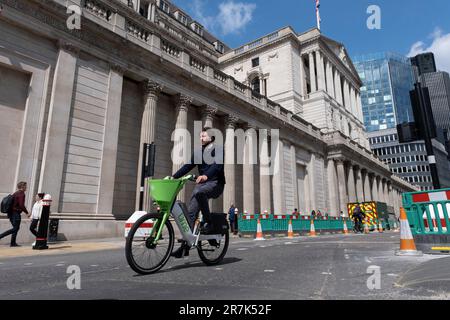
[[151, 238]]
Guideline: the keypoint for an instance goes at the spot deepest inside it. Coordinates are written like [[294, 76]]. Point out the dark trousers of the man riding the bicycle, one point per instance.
[[200, 196]]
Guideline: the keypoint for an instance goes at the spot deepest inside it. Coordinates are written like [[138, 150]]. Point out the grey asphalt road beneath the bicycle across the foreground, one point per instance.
[[327, 267]]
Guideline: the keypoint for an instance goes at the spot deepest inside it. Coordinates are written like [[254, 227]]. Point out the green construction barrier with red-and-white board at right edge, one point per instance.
[[428, 216]]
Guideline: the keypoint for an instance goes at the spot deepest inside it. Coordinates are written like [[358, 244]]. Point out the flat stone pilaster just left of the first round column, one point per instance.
[[110, 142]]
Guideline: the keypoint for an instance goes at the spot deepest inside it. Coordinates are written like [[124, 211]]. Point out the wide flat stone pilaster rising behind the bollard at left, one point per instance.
[[58, 123]]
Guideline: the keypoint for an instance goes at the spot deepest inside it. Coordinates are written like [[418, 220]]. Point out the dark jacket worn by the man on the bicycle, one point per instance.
[[213, 169]]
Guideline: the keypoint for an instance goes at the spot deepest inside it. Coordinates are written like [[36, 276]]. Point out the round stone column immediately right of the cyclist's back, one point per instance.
[[229, 194]]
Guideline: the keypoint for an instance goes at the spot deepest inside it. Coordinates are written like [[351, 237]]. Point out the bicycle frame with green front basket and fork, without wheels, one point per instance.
[[166, 199]]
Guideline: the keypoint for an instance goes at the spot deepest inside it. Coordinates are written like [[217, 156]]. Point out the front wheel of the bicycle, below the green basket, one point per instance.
[[143, 255]]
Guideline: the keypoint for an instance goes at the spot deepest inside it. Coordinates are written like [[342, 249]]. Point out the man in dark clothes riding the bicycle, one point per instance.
[[210, 183]]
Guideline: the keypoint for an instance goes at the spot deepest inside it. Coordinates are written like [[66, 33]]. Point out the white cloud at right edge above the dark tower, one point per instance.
[[440, 46]]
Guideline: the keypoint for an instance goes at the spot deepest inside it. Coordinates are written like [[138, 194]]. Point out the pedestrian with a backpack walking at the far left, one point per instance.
[[14, 216]]
